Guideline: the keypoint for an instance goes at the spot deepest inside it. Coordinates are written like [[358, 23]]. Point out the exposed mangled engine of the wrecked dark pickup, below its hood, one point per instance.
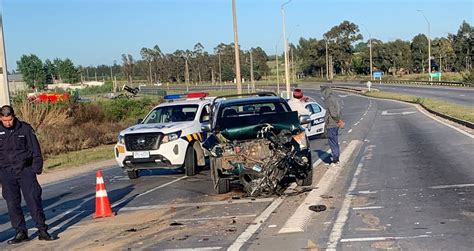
[[261, 164]]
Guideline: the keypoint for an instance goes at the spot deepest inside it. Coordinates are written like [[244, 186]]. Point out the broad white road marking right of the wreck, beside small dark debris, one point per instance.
[[299, 219]]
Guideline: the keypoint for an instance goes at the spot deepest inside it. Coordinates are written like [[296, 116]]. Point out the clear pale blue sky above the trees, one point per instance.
[[93, 32]]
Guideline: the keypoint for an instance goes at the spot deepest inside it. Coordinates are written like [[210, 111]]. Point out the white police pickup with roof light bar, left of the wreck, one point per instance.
[[170, 136]]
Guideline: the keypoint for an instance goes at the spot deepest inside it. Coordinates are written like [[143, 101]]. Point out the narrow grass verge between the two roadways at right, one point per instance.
[[458, 111]]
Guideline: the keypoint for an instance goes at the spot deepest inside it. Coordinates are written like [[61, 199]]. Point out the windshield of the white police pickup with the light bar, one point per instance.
[[168, 114]]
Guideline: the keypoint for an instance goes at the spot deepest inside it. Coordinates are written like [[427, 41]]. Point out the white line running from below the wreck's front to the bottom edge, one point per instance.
[[251, 229]]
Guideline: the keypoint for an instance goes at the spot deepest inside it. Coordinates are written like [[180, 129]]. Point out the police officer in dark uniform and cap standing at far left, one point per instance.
[[20, 162]]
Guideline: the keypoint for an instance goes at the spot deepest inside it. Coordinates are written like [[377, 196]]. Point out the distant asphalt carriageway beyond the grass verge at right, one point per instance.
[[458, 95]]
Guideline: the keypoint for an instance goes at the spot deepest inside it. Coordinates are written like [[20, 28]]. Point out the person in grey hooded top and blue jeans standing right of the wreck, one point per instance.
[[333, 121]]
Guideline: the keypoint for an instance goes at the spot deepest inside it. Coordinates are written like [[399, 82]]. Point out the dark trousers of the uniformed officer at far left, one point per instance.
[[13, 185]]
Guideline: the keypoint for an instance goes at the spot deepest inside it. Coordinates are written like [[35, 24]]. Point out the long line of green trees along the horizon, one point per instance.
[[342, 46]]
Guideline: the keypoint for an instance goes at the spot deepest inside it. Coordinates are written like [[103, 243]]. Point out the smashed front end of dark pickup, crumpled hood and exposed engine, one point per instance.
[[263, 152]]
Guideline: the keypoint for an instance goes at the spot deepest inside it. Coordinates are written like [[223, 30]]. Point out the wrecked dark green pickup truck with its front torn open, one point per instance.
[[258, 140]]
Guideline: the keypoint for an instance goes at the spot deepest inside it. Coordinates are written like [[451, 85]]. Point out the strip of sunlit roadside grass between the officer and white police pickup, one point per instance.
[[78, 158]]
